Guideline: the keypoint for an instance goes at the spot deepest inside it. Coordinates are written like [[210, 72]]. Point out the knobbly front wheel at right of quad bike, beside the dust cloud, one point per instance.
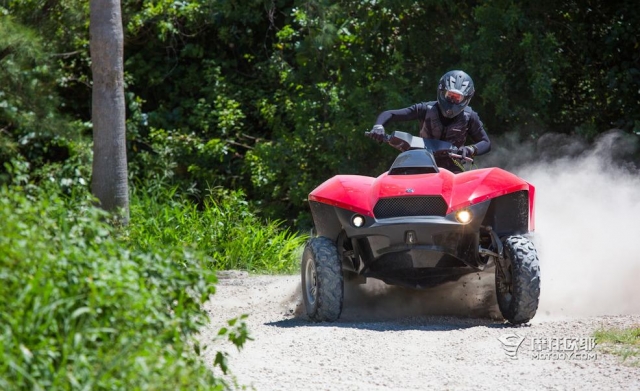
[[518, 280]]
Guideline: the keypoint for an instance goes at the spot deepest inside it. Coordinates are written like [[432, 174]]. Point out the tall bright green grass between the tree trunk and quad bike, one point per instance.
[[222, 226]]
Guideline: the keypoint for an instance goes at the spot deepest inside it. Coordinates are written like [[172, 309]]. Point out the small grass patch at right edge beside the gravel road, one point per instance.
[[624, 343]]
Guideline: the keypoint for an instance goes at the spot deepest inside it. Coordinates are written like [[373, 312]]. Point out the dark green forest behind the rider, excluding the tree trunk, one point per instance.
[[270, 98]]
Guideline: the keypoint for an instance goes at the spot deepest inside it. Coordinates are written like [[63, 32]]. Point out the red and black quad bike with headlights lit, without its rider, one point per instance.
[[419, 225]]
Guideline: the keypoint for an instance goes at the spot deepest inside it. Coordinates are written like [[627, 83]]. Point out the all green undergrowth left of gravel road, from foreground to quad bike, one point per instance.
[[86, 305]]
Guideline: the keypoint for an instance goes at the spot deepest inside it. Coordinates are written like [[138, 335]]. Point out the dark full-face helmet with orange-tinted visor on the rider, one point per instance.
[[455, 90]]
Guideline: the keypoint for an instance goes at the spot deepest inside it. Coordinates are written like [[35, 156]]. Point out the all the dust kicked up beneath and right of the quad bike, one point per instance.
[[587, 236]]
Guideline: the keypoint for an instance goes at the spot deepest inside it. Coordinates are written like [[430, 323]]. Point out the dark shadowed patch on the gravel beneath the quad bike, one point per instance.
[[468, 302]]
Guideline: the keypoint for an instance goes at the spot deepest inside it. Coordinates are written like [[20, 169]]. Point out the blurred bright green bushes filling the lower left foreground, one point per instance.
[[82, 310]]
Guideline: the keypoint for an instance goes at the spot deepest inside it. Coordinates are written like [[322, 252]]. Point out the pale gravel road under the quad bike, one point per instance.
[[448, 338]]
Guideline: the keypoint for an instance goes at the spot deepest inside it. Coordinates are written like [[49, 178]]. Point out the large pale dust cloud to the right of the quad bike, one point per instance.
[[587, 224]]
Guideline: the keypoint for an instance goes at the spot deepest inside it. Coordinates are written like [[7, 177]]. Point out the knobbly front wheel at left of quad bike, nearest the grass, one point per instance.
[[322, 281]]
